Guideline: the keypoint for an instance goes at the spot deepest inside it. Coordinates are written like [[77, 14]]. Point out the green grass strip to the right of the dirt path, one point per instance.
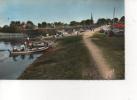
[[113, 50]]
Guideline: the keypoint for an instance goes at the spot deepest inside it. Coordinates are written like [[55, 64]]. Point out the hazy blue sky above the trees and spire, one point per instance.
[[58, 10]]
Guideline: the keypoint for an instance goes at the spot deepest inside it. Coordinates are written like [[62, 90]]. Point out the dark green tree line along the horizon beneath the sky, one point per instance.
[[17, 26]]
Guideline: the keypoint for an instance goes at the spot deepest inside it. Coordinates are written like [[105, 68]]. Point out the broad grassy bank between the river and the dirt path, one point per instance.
[[69, 60]]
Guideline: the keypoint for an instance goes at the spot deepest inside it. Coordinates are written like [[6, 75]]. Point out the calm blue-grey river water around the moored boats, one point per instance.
[[12, 67]]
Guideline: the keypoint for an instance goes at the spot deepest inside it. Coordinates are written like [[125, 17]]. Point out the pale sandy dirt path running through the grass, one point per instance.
[[104, 68]]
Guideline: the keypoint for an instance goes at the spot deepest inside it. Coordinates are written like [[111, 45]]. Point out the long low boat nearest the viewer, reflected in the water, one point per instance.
[[29, 51]]
